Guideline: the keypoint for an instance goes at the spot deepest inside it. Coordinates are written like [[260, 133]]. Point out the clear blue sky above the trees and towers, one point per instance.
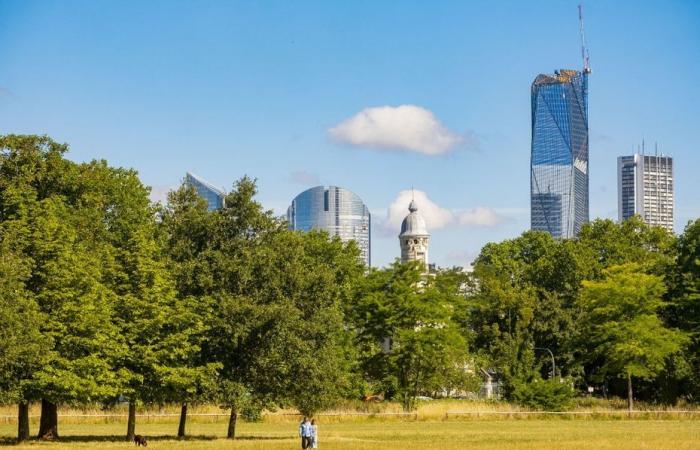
[[225, 89]]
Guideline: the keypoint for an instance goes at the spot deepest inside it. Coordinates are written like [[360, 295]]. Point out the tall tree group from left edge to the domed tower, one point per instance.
[[107, 298]]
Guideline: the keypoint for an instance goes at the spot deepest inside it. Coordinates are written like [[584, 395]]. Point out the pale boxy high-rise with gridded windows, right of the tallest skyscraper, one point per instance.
[[645, 187]]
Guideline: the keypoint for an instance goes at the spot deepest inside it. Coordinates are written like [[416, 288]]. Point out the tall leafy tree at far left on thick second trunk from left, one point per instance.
[[49, 211]]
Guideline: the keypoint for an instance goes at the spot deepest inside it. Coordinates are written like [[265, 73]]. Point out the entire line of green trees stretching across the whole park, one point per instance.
[[107, 298]]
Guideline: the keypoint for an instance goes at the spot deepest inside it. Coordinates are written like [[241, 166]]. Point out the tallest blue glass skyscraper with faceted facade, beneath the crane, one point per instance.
[[559, 154]]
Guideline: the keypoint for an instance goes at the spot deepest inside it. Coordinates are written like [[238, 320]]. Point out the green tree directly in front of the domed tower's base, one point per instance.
[[405, 329]]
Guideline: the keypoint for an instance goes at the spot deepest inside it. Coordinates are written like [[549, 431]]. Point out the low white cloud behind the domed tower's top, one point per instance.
[[435, 216]]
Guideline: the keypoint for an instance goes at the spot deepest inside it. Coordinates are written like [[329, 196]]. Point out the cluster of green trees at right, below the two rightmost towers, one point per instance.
[[617, 304]]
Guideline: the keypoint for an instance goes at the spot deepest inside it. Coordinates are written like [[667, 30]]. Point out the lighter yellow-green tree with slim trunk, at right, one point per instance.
[[622, 327]]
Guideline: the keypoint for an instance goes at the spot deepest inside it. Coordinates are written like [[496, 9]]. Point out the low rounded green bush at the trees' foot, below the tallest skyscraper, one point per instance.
[[549, 395]]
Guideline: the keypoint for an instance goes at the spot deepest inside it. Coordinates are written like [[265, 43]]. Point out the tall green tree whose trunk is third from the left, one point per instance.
[[160, 332]]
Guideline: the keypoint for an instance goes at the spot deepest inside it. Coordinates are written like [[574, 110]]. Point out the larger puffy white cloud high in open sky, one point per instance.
[[405, 128]]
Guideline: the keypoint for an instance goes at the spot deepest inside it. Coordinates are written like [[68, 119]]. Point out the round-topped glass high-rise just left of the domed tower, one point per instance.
[[336, 210]]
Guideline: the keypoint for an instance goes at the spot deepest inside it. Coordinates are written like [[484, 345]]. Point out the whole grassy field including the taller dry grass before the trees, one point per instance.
[[430, 431]]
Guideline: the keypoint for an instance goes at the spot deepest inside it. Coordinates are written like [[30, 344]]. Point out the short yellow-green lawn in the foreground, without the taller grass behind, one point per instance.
[[403, 435]]
